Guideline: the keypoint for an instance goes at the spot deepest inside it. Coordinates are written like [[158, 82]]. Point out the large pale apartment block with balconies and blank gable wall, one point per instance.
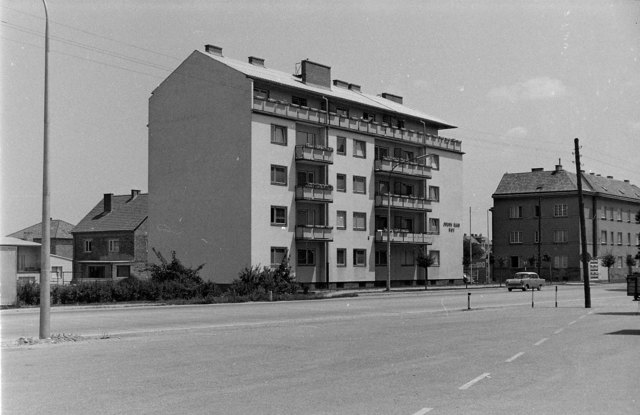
[[248, 165]]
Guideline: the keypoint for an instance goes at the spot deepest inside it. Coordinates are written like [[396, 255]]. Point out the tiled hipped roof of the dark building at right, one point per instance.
[[564, 181]]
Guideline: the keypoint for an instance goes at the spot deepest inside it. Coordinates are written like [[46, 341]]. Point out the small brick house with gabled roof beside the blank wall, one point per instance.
[[110, 242]]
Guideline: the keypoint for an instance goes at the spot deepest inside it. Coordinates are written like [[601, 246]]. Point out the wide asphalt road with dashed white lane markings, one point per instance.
[[402, 353]]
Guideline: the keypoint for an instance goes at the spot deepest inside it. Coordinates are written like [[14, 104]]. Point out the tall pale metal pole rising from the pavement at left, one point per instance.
[[45, 260]]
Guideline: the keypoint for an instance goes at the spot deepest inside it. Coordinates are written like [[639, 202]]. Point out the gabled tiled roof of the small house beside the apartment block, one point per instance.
[[127, 213]]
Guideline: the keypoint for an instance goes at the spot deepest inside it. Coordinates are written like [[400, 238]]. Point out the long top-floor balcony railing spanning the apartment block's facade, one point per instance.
[[284, 109]]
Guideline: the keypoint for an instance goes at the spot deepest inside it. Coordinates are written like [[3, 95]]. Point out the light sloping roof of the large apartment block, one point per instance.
[[290, 80]]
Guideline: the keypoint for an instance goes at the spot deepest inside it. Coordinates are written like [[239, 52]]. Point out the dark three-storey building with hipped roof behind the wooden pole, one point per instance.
[[525, 203]]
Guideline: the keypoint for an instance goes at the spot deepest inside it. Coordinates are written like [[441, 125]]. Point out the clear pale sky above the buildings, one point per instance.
[[519, 78]]
